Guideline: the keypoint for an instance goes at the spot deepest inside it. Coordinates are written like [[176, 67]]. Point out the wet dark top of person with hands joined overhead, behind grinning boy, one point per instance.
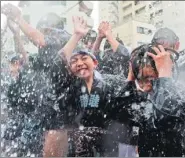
[[114, 62]]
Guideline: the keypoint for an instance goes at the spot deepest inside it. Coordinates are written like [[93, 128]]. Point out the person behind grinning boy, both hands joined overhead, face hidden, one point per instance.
[[113, 51]]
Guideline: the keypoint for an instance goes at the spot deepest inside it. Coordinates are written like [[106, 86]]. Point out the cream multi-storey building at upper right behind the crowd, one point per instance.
[[138, 16]]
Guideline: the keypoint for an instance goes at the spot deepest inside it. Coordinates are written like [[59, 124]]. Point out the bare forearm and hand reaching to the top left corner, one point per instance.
[[33, 34]]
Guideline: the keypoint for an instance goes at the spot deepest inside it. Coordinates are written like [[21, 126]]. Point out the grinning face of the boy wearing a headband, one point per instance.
[[83, 66]]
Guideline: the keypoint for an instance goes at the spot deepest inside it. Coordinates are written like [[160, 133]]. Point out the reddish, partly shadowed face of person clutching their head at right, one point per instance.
[[147, 75]]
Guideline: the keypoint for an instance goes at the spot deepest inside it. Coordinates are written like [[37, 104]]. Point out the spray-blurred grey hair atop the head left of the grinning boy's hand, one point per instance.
[[50, 20]]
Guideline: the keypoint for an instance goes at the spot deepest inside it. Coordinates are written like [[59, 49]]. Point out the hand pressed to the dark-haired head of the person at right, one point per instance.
[[163, 61]]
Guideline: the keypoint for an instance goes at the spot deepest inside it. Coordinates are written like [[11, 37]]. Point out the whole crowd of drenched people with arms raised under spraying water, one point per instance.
[[73, 99]]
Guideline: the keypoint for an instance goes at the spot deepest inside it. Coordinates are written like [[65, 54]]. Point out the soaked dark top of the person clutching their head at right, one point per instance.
[[159, 116]]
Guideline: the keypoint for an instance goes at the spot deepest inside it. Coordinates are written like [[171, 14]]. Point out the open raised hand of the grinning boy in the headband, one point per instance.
[[80, 26]]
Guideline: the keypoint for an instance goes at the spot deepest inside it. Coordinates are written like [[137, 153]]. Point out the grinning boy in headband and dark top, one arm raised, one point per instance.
[[85, 98]]
